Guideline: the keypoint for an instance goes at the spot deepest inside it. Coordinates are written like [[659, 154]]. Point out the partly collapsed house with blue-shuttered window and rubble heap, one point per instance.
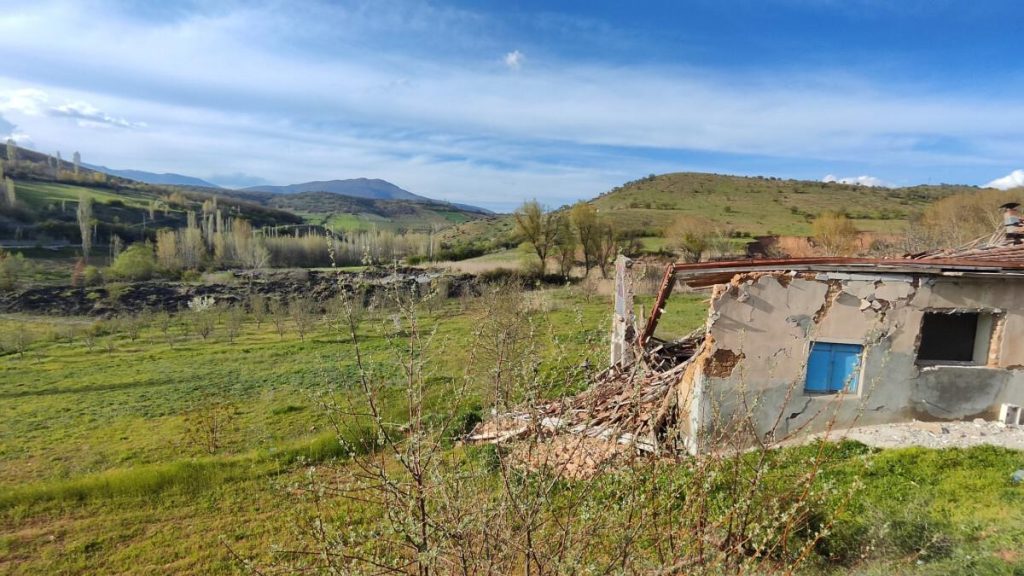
[[801, 346]]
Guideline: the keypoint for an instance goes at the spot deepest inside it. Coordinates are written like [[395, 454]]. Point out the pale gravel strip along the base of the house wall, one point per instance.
[[937, 435]]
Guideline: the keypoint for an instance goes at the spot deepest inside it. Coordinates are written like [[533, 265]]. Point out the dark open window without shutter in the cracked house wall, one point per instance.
[[958, 338]]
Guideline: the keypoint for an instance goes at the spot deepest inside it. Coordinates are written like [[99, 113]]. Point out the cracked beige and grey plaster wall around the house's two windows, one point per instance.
[[761, 325]]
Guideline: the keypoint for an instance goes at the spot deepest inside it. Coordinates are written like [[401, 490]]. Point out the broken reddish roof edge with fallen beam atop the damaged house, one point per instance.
[[702, 275]]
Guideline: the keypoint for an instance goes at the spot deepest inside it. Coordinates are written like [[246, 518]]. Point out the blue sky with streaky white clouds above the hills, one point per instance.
[[496, 102]]
